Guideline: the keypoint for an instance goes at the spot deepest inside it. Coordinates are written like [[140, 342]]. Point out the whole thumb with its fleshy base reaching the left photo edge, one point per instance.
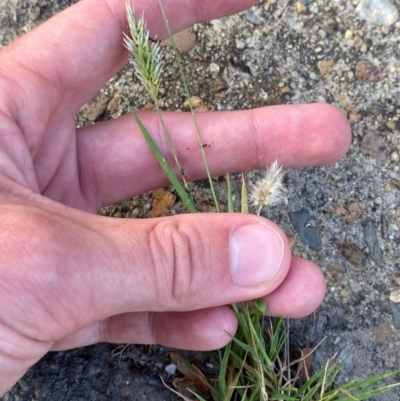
[[74, 269]]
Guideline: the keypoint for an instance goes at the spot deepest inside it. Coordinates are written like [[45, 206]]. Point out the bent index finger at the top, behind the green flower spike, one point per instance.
[[82, 47]]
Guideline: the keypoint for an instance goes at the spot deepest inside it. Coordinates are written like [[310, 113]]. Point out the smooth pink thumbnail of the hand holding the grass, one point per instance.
[[256, 253]]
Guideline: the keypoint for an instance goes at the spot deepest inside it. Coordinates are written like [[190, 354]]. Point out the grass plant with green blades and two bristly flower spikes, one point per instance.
[[251, 368]]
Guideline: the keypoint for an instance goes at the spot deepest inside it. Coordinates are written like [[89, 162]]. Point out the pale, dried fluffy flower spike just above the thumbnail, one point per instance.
[[269, 191]]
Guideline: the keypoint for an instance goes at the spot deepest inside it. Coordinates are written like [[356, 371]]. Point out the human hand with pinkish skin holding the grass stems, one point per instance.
[[69, 277]]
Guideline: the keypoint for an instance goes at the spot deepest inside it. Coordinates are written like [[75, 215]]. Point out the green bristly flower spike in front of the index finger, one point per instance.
[[145, 55]]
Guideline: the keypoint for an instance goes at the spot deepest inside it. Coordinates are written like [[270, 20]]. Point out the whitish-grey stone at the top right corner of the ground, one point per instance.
[[380, 12]]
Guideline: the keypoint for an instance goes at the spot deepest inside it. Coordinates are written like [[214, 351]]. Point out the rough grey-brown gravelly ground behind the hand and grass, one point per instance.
[[347, 215]]
